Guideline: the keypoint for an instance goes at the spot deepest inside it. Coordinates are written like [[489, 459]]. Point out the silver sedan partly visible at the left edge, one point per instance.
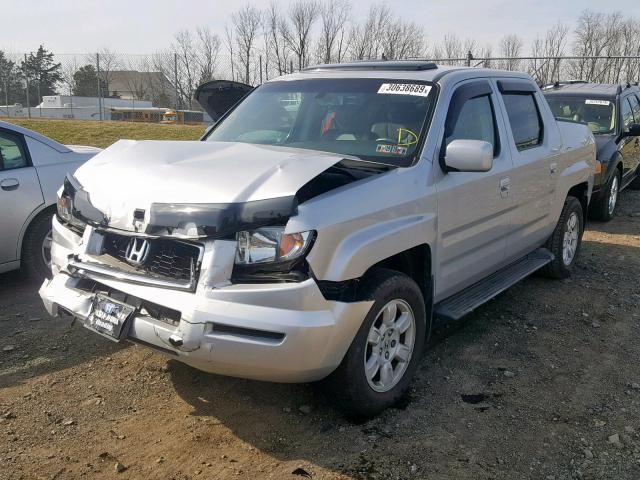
[[32, 169]]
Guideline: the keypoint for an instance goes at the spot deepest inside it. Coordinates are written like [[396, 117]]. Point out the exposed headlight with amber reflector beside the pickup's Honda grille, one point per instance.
[[270, 245]]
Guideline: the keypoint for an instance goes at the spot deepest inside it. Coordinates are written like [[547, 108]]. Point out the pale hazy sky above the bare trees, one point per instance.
[[145, 26]]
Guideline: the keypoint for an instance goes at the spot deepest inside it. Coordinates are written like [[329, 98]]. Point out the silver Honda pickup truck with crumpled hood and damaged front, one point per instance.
[[325, 223]]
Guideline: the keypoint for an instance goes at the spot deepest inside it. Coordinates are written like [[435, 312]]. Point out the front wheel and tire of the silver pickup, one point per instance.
[[377, 369]]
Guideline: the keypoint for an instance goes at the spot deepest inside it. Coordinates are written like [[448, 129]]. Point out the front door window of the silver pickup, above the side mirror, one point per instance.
[[475, 121]]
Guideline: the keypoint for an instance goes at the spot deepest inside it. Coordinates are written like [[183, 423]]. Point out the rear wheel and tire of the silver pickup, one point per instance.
[[566, 240]]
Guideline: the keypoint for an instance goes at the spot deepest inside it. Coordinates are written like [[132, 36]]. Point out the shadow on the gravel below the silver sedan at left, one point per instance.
[[31, 342]]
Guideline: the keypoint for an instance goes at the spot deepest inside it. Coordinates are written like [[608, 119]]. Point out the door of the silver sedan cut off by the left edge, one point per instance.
[[20, 192]]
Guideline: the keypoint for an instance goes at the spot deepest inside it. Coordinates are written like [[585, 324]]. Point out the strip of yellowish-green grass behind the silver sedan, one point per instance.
[[103, 134]]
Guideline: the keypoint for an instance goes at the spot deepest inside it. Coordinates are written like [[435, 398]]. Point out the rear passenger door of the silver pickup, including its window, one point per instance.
[[533, 145]]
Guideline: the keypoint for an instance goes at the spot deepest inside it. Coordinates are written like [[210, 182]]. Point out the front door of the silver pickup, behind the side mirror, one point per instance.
[[473, 207]]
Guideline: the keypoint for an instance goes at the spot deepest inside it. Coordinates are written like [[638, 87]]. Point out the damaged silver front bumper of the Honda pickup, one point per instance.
[[285, 332]]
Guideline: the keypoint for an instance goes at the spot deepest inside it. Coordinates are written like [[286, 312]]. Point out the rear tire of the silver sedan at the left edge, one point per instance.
[[36, 247]]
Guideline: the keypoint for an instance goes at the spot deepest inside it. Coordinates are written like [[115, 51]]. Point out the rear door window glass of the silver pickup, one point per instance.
[[524, 119]]
